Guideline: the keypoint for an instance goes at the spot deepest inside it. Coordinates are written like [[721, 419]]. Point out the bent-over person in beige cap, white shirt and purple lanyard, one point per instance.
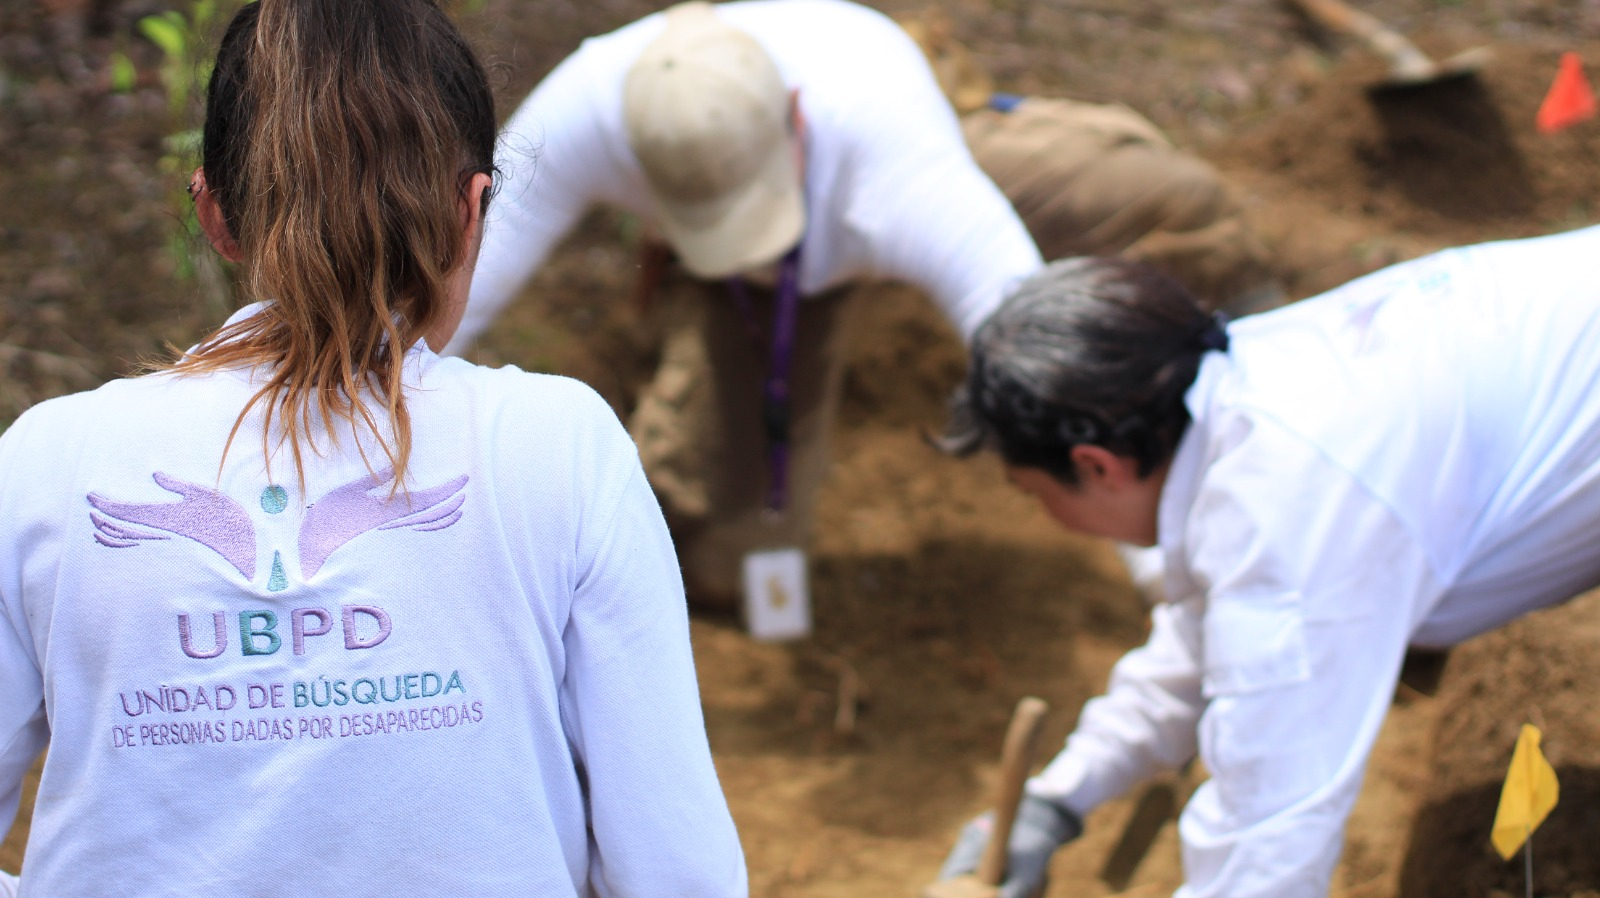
[[783, 150]]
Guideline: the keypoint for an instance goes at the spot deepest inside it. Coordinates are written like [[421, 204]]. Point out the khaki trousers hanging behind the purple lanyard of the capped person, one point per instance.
[[700, 433]]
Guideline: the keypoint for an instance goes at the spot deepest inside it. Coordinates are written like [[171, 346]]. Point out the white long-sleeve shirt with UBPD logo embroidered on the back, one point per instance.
[[481, 688]]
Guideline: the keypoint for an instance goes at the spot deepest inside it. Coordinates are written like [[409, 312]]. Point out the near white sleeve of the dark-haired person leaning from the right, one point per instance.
[[1311, 590]]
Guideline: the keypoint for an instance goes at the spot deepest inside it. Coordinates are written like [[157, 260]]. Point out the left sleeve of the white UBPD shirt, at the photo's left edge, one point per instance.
[[23, 726]]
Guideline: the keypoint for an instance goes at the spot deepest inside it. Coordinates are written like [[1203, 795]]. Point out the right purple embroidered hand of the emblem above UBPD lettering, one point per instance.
[[350, 511]]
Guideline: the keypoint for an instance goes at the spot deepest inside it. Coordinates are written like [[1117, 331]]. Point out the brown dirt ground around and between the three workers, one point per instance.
[[938, 591]]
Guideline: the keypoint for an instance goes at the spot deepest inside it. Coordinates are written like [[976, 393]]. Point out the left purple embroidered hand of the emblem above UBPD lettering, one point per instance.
[[206, 516]]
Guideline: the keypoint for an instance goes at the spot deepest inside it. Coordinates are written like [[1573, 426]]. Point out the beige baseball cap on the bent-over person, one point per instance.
[[708, 119]]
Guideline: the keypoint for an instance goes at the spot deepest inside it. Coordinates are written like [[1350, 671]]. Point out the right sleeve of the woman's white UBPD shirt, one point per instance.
[[658, 817]]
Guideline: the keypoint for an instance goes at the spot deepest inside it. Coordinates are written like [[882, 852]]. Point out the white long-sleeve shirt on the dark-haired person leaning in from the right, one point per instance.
[[1409, 460]]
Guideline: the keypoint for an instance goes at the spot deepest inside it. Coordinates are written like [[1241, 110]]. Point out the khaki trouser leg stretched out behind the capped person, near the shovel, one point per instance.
[[1103, 180]]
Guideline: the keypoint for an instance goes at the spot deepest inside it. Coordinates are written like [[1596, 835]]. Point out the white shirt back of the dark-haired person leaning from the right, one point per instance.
[[1462, 393]]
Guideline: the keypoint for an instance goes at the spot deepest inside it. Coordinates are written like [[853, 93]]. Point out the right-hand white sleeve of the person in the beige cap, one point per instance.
[[929, 212]]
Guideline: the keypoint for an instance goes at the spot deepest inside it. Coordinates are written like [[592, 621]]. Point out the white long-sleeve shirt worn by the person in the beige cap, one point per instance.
[[892, 190]]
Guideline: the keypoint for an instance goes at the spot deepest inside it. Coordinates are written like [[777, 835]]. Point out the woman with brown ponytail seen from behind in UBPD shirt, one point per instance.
[[316, 611]]
